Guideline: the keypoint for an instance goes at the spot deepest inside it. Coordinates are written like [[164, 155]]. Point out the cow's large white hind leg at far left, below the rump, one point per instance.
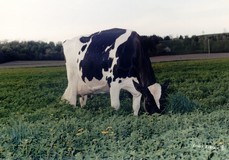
[[71, 91]]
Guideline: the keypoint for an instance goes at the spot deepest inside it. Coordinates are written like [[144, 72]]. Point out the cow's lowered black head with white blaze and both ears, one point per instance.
[[154, 96]]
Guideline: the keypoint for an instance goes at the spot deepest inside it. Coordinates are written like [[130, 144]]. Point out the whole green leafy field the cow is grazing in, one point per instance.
[[34, 124]]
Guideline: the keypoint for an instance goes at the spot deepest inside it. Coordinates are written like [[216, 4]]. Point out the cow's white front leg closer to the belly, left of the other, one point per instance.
[[114, 96]]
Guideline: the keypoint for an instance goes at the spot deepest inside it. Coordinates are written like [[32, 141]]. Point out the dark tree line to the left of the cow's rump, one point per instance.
[[30, 50]]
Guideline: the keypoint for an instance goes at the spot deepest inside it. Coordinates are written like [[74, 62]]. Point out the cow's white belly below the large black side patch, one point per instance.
[[92, 87]]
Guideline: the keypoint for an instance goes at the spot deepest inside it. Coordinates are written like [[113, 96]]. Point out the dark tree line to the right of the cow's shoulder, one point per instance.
[[212, 43]]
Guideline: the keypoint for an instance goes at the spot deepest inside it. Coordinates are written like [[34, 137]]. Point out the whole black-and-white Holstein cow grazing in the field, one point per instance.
[[109, 61]]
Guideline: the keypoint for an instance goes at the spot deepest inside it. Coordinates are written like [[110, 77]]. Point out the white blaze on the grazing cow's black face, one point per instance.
[[155, 90]]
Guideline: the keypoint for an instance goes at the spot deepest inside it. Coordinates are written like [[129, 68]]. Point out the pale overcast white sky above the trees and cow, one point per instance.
[[58, 20]]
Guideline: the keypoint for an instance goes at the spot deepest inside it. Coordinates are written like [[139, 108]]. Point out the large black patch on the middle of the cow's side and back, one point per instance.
[[97, 54]]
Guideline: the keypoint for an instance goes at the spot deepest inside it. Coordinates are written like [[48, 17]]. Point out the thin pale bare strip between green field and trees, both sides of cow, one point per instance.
[[25, 64]]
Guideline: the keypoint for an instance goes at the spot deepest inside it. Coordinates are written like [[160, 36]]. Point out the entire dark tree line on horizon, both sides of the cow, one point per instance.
[[152, 45]]
